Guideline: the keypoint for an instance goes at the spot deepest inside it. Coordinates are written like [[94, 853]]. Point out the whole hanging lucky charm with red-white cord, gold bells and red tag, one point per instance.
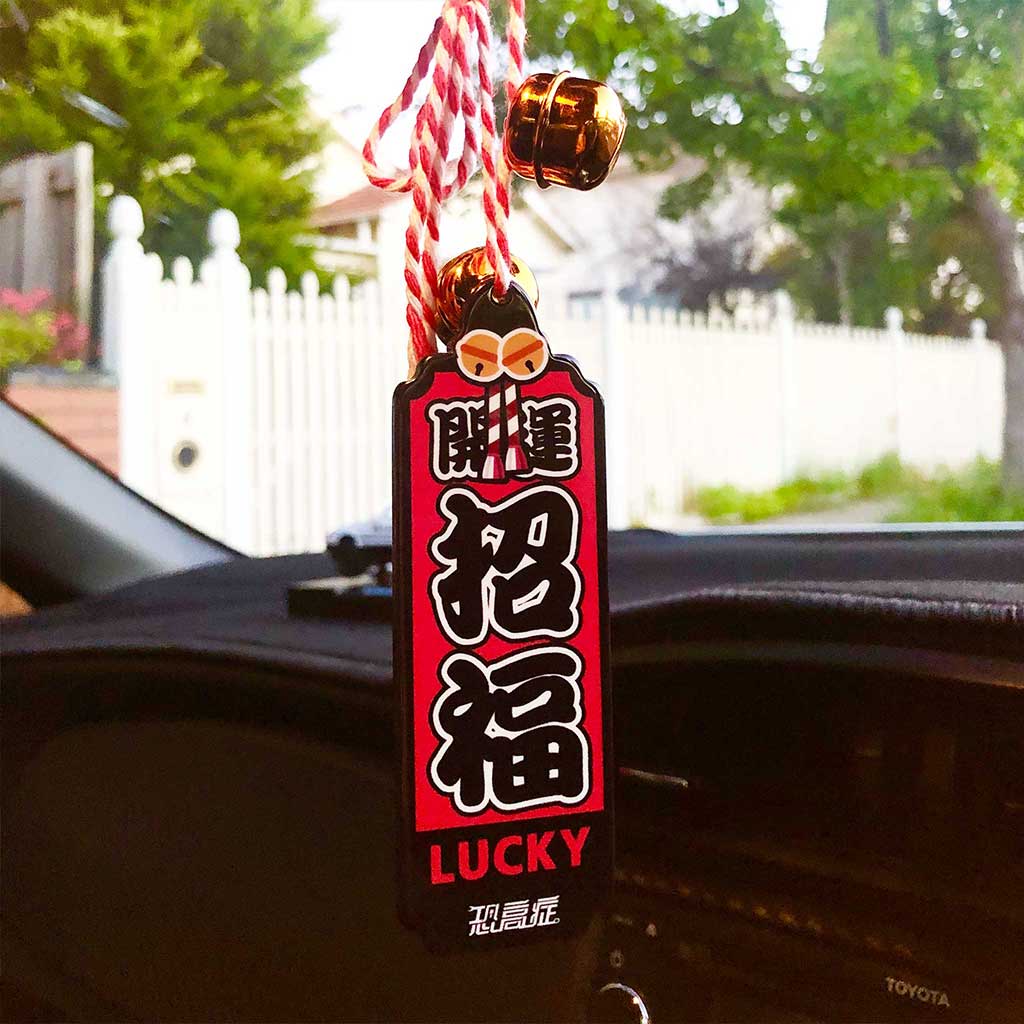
[[500, 530]]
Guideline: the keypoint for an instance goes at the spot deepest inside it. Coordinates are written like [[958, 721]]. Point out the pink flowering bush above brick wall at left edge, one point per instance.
[[32, 334]]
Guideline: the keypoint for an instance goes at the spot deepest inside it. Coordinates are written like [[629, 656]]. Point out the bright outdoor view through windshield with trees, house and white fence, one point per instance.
[[801, 290]]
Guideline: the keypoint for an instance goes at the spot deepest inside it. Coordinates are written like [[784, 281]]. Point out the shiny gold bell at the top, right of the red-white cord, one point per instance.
[[564, 132]]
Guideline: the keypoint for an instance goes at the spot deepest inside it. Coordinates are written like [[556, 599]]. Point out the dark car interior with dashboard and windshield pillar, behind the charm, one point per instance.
[[820, 751]]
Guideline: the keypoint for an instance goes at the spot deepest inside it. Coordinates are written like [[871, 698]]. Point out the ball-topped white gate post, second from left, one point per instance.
[[224, 272]]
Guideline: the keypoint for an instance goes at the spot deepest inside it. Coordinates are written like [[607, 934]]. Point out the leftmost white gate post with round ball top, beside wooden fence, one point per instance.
[[127, 351]]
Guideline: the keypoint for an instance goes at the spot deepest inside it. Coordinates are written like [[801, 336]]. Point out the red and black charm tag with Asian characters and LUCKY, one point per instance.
[[502, 637]]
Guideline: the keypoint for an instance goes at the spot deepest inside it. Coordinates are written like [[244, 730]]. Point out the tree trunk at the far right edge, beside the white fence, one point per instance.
[[1001, 229]]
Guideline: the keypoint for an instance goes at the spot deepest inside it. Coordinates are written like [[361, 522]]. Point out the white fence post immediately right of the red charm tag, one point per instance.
[[616, 389]]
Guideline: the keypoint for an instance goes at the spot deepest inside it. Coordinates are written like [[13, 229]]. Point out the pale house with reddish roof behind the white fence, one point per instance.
[[577, 243]]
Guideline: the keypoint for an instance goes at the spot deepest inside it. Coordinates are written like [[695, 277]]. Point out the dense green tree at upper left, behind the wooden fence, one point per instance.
[[190, 107]]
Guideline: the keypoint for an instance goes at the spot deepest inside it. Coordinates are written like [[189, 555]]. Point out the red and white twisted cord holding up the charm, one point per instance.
[[461, 88]]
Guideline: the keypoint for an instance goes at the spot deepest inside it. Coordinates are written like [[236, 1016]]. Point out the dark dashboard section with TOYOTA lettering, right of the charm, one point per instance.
[[814, 842]]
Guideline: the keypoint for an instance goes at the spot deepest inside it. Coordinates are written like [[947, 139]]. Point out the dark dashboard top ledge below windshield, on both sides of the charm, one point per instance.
[[902, 580]]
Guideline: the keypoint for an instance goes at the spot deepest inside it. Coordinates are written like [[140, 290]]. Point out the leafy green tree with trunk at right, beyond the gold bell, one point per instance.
[[913, 115]]
